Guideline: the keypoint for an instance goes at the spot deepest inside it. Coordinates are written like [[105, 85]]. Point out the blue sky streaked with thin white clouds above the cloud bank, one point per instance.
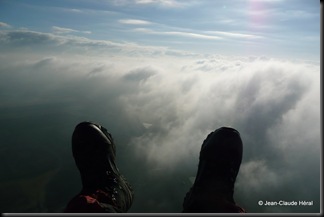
[[272, 28]]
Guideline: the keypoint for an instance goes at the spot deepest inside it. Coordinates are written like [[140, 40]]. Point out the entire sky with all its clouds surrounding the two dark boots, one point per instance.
[[160, 76]]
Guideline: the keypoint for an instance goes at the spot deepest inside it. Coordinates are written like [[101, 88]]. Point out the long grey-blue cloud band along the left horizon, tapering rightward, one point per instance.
[[18, 39]]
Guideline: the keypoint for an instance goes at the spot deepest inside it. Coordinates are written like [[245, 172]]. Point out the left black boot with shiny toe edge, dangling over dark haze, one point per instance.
[[94, 153]]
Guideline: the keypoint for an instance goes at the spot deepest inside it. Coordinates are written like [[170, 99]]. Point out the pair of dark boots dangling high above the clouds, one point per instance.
[[106, 190]]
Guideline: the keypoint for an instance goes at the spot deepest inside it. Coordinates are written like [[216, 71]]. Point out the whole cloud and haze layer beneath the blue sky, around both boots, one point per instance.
[[159, 109]]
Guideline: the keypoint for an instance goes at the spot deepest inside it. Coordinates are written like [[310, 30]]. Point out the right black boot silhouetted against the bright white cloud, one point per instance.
[[219, 163]]
